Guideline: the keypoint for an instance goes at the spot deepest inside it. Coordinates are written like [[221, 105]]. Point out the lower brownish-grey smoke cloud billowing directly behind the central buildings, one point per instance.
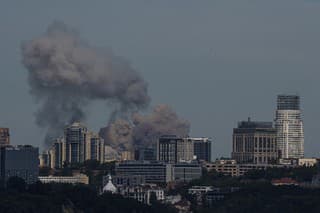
[[144, 130]]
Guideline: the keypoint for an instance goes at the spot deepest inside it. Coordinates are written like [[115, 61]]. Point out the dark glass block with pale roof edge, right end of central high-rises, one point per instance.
[[202, 148]]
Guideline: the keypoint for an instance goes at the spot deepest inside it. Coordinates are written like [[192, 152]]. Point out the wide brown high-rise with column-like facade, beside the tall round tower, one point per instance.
[[254, 142]]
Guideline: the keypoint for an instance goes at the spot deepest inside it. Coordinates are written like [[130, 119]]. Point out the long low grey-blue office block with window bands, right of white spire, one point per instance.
[[152, 172]]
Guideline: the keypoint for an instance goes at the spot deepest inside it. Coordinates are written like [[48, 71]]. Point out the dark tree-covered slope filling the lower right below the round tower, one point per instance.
[[257, 194]]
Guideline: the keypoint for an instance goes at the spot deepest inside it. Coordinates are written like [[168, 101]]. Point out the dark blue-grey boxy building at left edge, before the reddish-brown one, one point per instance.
[[20, 161]]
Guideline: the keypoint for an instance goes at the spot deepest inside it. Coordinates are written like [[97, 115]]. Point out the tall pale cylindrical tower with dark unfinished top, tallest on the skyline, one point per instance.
[[288, 122]]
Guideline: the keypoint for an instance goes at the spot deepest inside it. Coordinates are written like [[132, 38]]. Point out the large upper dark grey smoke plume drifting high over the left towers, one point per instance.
[[66, 73]]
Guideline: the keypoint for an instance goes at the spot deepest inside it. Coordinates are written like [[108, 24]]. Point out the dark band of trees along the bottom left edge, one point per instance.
[[17, 197]]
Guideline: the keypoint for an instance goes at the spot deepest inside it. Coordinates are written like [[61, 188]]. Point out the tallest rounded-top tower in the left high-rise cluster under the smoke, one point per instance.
[[75, 138]]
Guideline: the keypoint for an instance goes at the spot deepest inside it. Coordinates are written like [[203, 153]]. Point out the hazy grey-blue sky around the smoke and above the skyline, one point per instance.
[[215, 62]]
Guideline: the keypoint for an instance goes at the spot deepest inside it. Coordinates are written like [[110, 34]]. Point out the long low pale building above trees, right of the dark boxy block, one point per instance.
[[77, 179]]
